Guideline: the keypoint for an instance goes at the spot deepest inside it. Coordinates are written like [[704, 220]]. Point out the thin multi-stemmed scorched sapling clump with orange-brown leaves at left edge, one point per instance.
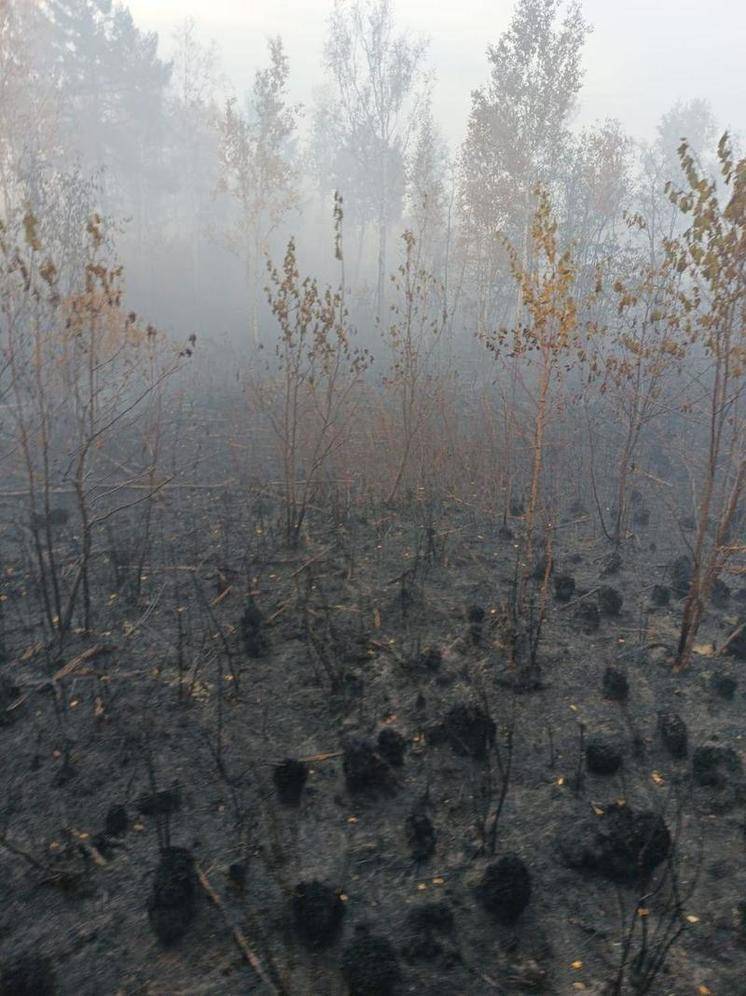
[[80, 369]]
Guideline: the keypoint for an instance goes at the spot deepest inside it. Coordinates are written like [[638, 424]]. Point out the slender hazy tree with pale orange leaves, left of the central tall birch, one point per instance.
[[256, 167]]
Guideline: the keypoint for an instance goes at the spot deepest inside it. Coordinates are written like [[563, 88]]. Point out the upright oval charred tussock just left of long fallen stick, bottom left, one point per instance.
[[172, 903]]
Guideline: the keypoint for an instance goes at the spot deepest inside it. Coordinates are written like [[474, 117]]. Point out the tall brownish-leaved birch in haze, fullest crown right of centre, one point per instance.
[[517, 127]]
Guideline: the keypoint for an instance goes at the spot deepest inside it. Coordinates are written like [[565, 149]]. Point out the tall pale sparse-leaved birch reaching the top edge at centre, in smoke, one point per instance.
[[377, 73]]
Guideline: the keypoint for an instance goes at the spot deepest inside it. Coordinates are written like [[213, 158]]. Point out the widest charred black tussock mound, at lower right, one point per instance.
[[622, 844]]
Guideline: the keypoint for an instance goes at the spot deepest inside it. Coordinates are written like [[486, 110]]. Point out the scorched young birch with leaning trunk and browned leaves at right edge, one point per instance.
[[711, 258]]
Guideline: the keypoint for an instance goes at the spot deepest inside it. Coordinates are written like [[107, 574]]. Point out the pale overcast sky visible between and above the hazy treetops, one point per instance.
[[642, 56]]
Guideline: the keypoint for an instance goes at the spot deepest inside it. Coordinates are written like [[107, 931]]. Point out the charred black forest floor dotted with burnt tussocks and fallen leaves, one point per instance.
[[267, 734]]
